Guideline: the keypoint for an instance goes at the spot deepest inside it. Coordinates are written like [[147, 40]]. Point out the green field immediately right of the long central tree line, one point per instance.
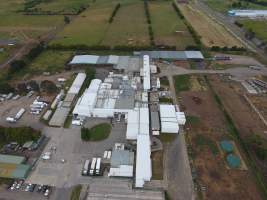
[[168, 28]]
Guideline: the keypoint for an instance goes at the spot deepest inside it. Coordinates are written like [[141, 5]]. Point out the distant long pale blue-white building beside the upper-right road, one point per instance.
[[248, 13]]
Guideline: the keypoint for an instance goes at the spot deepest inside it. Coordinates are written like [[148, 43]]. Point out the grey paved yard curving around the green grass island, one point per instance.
[[70, 147]]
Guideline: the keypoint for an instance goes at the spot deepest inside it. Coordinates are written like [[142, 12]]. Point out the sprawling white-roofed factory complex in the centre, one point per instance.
[[127, 95]]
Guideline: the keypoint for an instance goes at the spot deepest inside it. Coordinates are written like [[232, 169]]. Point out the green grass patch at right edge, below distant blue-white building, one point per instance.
[[259, 27]]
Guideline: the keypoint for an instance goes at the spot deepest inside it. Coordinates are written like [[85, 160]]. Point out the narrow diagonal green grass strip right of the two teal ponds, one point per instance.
[[234, 133]]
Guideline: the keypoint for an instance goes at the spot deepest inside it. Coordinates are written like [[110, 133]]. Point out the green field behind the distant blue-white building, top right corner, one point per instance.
[[224, 5]]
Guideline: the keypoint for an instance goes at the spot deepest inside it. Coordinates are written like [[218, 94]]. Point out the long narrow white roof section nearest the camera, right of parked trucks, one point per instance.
[[143, 160]]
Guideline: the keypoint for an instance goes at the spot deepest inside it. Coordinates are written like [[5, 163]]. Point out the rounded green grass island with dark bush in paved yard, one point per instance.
[[96, 133]]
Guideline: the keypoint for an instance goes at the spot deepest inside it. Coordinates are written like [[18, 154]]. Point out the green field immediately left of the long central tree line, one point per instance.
[[129, 27]]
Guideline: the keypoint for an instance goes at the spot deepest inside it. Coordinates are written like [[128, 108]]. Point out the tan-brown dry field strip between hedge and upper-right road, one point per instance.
[[212, 34]]
